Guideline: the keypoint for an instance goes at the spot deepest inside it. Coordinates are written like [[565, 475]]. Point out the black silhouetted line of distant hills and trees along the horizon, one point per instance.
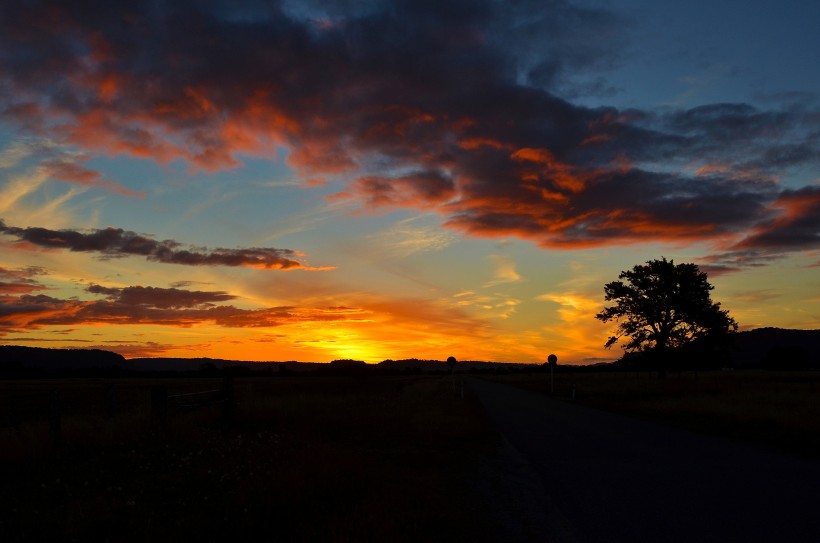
[[763, 348]]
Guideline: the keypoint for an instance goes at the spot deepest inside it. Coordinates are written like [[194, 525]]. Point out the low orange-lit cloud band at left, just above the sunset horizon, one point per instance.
[[155, 306]]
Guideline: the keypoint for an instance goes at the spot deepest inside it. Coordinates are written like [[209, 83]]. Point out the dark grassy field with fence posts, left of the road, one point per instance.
[[305, 459]]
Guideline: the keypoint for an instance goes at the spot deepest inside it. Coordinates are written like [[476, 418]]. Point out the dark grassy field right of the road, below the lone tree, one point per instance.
[[777, 410]]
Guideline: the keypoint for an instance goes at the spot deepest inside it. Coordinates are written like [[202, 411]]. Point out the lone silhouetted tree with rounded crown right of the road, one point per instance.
[[661, 305]]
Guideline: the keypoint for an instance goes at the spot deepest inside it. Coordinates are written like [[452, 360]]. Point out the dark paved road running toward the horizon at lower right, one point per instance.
[[610, 478]]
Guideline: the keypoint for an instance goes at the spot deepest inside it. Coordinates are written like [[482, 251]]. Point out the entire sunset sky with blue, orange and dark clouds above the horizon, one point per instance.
[[305, 180]]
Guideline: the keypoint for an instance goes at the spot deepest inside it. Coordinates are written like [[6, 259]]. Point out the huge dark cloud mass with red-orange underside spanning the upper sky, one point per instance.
[[460, 107]]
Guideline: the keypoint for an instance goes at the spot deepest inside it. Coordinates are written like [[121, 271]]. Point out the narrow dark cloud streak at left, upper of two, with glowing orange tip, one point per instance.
[[116, 243]]
